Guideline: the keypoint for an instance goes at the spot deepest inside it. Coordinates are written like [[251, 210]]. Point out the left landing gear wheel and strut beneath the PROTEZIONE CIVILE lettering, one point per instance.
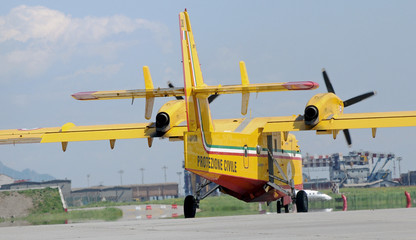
[[191, 203]]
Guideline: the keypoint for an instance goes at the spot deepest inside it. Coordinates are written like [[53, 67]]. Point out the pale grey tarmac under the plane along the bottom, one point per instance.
[[369, 224]]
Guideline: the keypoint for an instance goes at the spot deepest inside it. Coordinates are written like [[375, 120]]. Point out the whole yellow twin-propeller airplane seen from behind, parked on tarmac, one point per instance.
[[254, 160]]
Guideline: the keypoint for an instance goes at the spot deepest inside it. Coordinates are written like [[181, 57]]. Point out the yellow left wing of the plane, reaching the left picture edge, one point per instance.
[[70, 133]]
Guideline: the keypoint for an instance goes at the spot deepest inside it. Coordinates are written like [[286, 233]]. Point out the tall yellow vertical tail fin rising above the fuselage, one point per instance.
[[197, 107]]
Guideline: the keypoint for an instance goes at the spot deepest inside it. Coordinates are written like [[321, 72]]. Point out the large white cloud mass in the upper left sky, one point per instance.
[[35, 37]]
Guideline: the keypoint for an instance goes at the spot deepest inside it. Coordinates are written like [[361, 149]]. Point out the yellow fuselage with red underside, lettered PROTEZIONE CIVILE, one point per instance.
[[239, 161]]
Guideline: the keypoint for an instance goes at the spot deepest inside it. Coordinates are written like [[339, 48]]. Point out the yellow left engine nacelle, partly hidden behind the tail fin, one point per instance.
[[170, 114]]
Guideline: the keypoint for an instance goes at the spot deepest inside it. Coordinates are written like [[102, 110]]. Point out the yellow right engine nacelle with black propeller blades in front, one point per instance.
[[322, 106]]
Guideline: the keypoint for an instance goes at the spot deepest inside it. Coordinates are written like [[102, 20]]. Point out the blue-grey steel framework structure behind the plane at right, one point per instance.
[[357, 169]]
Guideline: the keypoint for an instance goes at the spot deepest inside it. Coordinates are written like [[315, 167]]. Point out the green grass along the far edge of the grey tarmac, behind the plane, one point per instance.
[[50, 211]]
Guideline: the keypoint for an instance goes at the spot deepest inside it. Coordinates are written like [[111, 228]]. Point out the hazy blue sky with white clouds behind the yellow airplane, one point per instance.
[[52, 49]]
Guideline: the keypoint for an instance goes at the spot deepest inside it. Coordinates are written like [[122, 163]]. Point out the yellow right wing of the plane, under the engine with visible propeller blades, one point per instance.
[[344, 121]]
